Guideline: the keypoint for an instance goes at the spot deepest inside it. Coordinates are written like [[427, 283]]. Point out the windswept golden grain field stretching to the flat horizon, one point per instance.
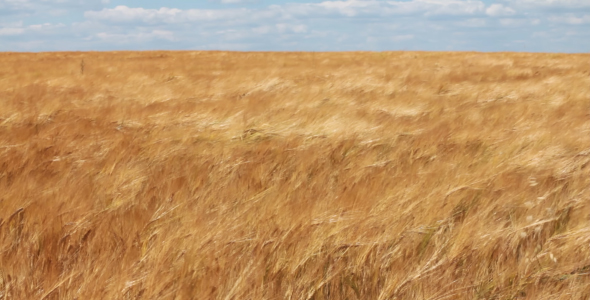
[[219, 175]]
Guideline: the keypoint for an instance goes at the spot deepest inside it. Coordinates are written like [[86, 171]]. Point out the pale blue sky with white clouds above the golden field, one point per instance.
[[296, 25]]
